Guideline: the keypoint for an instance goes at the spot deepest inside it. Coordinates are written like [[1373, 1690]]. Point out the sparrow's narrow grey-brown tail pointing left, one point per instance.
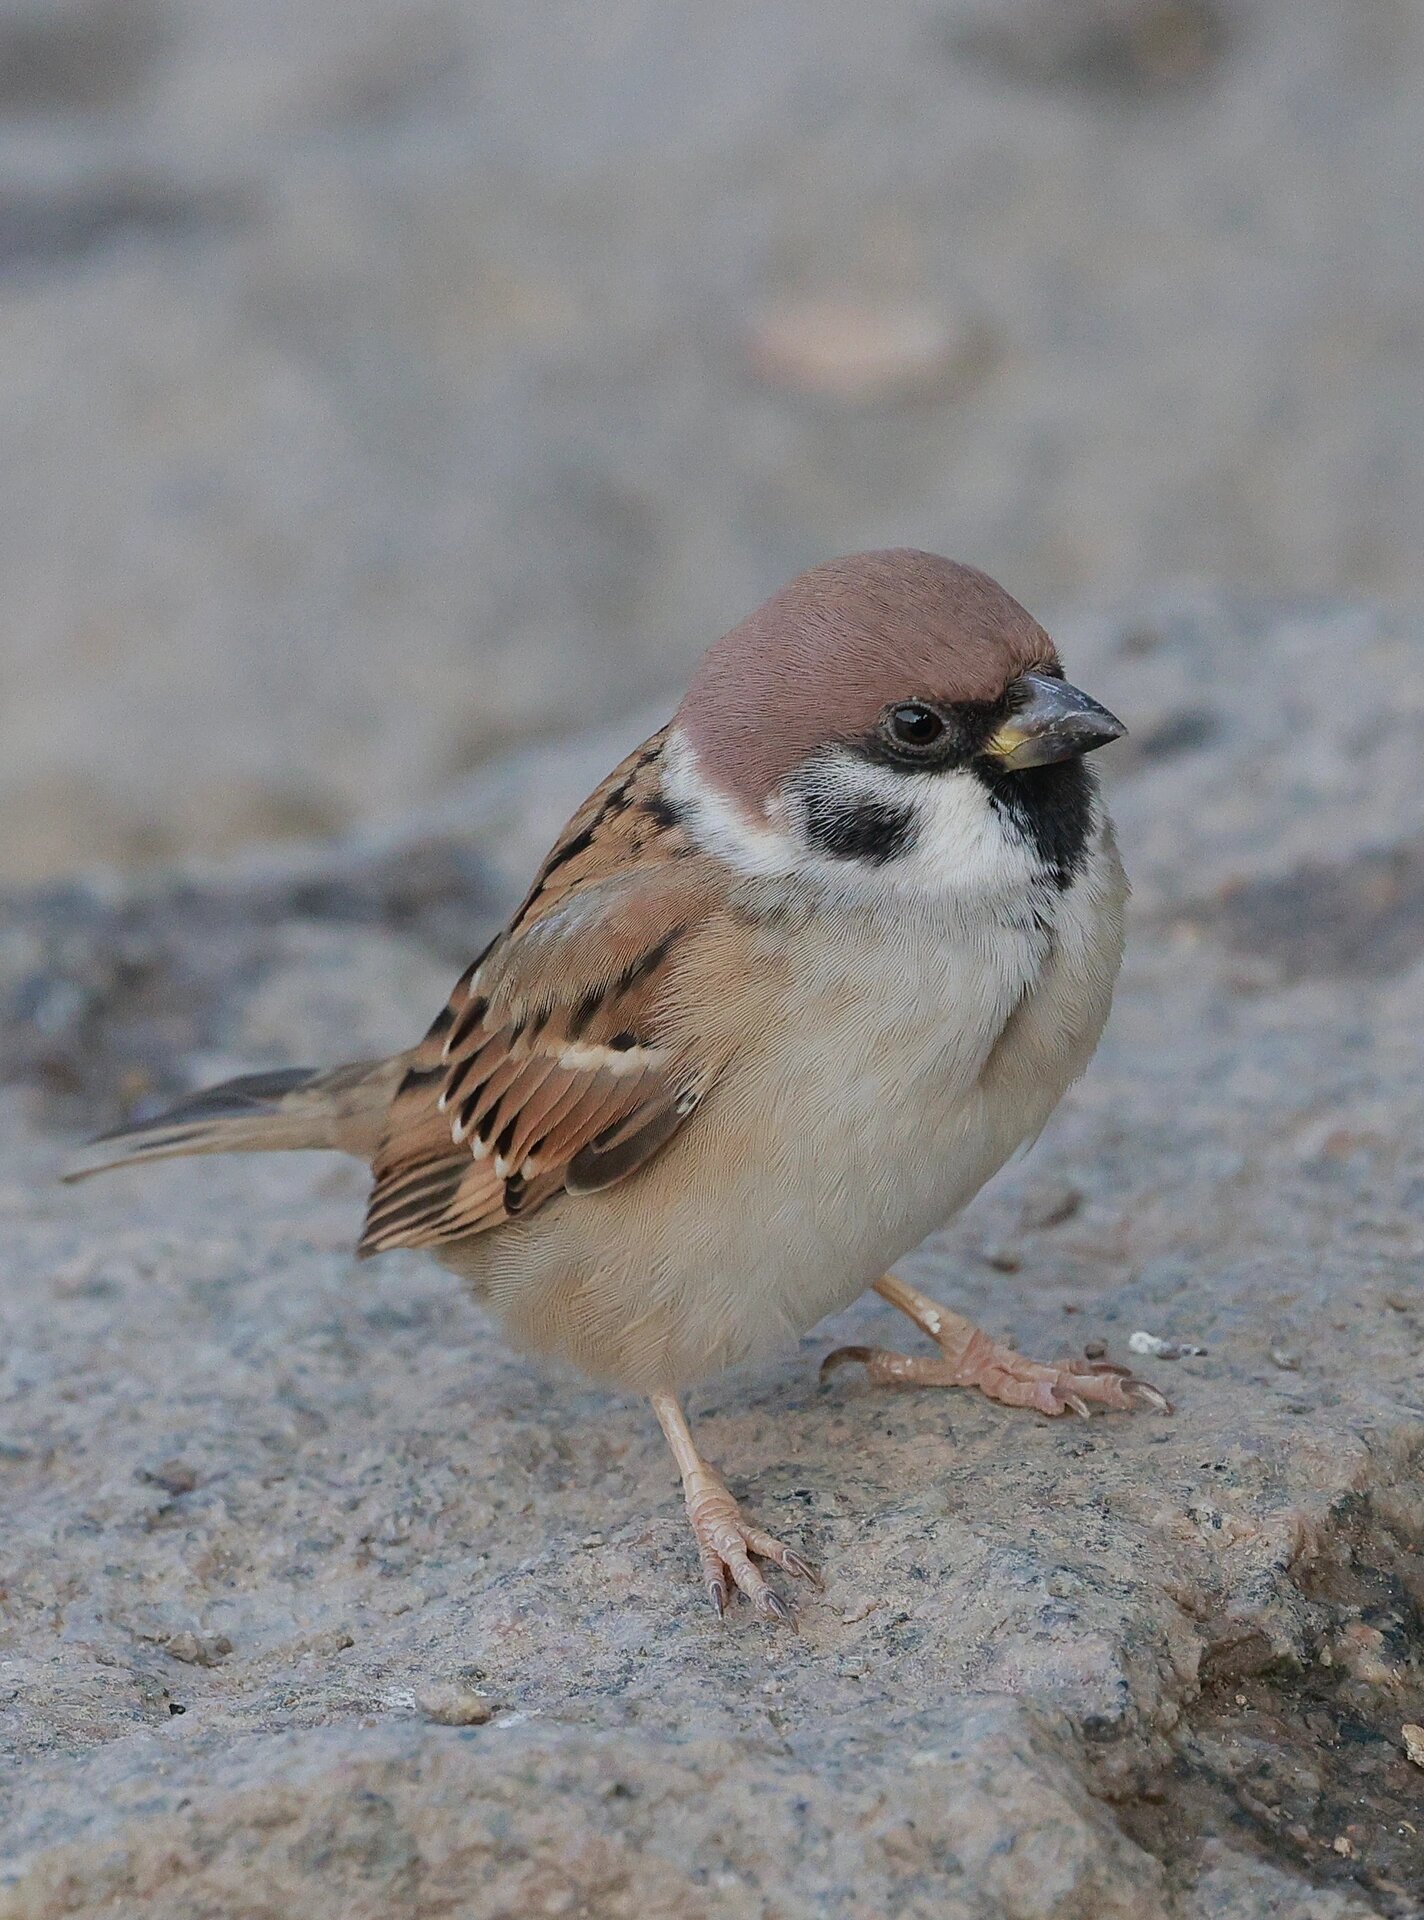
[[298, 1107]]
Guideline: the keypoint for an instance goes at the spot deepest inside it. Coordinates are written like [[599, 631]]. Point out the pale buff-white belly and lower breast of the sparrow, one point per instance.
[[820, 1159]]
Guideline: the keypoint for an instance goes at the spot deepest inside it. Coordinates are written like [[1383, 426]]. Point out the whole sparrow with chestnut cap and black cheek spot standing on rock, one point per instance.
[[794, 984]]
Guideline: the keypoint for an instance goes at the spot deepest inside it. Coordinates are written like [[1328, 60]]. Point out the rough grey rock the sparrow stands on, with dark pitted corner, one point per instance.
[[273, 1522]]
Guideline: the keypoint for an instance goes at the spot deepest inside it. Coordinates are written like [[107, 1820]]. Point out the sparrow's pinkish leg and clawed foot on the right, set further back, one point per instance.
[[970, 1358]]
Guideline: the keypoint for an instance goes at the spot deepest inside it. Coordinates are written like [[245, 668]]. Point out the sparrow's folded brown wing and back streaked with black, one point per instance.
[[552, 1067]]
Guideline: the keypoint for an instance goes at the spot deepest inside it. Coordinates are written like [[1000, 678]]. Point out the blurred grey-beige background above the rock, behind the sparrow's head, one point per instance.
[[387, 383]]
